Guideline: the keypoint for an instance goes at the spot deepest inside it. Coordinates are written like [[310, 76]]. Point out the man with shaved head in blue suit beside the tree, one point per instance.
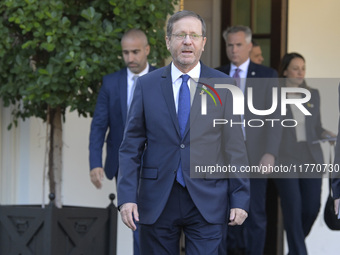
[[112, 106]]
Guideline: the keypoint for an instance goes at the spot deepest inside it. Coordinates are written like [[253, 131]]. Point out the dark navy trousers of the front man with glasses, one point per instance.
[[180, 214]]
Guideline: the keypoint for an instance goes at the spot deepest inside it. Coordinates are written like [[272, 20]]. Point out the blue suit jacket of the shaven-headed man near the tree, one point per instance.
[[110, 113]]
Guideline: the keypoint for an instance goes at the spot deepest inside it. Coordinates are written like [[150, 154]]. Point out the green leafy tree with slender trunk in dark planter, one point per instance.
[[53, 55]]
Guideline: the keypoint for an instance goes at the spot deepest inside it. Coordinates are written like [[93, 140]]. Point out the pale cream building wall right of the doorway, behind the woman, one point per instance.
[[313, 31]]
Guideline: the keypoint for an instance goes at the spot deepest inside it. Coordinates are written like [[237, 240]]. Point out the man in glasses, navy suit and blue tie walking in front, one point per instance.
[[161, 142]]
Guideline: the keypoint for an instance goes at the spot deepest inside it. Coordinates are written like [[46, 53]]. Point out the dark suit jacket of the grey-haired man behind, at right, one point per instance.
[[267, 139]]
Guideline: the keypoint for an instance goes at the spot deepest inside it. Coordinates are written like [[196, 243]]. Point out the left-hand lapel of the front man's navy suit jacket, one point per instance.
[[168, 94]]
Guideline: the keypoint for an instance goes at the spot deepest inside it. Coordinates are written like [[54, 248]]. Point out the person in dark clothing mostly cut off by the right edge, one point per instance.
[[336, 180]]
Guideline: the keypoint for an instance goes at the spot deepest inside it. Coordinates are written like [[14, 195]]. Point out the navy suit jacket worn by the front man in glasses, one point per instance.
[[153, 120]]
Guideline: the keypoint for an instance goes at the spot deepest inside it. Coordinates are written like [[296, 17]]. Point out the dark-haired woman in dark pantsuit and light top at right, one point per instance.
[[300, 196]]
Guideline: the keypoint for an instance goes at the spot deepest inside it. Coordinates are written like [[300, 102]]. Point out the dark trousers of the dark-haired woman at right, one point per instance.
[[300, 201]]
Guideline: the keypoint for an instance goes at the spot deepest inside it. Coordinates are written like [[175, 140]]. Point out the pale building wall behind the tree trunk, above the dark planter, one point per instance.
[[22, 151]]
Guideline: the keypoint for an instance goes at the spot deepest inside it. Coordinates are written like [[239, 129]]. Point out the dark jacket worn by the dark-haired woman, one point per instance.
[[288, 153]]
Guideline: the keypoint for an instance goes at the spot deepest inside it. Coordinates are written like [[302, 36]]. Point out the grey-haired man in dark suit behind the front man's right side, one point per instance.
[[262, 143]]
